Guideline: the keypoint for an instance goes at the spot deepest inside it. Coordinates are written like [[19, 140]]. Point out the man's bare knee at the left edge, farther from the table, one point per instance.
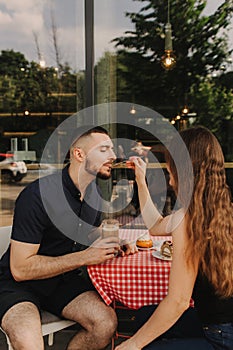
[[22, 324]]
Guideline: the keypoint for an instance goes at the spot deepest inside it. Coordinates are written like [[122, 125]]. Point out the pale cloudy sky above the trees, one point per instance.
[[21, 21]]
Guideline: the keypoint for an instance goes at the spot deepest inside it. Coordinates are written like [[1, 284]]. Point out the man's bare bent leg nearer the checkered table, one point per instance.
[[98, 320]]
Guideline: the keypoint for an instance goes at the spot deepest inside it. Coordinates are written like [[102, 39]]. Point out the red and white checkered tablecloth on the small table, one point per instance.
[[134, 280]]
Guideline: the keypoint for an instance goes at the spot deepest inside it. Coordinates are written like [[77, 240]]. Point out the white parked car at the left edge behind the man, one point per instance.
[[11, 169]]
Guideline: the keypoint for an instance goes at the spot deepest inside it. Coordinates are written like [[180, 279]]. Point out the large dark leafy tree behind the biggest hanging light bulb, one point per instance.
[[200, 44]]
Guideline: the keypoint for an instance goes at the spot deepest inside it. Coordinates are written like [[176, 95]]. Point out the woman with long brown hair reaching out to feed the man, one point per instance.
[[202, 234]]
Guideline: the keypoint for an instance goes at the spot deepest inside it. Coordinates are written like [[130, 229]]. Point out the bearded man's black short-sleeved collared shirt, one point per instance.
[[49, 212]]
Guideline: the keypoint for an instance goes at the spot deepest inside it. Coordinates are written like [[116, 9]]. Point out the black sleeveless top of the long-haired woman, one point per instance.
[[211, 308]]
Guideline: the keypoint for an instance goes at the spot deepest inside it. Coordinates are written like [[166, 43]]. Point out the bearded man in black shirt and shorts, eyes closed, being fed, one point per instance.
[[41, 269]]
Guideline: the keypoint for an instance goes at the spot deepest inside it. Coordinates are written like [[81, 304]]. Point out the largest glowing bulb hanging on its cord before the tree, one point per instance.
[[168, 60]]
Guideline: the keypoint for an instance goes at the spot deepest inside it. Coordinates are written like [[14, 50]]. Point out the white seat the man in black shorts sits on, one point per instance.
[[49, 322]]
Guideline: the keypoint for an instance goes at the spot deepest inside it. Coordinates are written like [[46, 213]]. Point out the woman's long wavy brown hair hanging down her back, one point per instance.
[[209, 211]]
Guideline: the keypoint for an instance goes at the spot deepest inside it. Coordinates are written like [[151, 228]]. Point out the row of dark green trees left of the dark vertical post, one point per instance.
[[26, 86]]
